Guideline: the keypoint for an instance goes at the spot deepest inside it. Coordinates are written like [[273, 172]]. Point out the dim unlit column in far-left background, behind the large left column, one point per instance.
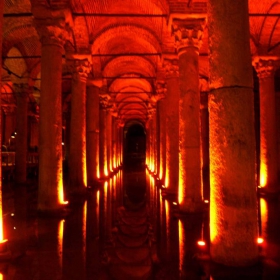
[[21, 90]]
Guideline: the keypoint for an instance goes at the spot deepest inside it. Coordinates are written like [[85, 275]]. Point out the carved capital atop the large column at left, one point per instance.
[[53, 26]]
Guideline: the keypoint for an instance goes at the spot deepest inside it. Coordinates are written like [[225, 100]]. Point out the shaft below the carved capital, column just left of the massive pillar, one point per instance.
[[190, 197]]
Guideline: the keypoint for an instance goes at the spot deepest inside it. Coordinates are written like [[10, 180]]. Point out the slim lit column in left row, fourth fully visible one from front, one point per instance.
[[104, 103]]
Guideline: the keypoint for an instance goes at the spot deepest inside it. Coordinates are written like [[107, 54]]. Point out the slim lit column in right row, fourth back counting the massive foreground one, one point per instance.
[[161, 92]]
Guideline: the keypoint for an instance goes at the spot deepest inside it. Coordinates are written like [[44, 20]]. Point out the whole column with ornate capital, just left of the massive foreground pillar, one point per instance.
[[188, 35]]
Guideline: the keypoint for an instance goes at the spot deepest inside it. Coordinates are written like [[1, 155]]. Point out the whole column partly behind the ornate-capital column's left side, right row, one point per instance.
[[172, 124]]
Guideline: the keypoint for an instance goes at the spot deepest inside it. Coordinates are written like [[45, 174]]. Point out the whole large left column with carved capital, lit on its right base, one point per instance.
[[53, 34]]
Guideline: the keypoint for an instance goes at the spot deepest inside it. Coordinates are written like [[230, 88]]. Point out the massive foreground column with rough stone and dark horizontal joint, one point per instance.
[[233, 201]]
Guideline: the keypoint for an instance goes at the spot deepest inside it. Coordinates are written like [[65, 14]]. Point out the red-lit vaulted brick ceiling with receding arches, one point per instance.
[[126, 39]]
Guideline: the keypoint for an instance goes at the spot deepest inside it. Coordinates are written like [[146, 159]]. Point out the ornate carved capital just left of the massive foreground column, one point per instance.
[[188, 33]]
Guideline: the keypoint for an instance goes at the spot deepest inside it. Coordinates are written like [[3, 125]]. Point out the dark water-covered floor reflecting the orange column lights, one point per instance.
[[124, 230]]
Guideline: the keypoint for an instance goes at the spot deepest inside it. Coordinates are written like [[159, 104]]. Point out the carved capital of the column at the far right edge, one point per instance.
[[266, 65]]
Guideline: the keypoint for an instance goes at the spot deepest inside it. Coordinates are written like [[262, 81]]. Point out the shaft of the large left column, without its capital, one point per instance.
[[50, 130]]
